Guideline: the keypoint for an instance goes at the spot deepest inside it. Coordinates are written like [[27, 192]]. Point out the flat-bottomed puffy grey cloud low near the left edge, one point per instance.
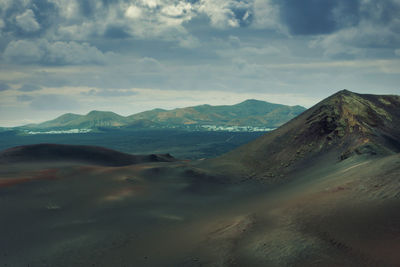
[[53, 53]]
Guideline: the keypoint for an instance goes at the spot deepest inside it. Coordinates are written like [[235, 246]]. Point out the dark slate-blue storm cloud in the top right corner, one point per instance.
[[313, 17]]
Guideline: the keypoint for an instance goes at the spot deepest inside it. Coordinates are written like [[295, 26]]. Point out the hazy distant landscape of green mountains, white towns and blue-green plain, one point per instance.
[[189, 133]]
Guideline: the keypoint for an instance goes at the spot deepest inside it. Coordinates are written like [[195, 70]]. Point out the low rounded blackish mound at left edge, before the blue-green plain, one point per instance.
[[72, 153]]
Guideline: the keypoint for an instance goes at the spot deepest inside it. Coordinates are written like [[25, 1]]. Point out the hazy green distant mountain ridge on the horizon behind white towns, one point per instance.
[[248, 113]]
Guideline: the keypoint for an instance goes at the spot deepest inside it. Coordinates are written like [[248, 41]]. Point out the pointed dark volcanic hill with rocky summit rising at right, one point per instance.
[[339, 127]]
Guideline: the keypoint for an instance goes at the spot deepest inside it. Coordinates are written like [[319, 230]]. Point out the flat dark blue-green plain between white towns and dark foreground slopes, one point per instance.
[[181, 143]]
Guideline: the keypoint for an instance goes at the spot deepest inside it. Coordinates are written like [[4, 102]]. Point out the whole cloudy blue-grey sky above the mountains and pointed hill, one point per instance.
[[127, 56]]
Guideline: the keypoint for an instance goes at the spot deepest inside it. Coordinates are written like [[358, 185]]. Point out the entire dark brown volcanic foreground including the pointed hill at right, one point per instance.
[[322, 190]]
